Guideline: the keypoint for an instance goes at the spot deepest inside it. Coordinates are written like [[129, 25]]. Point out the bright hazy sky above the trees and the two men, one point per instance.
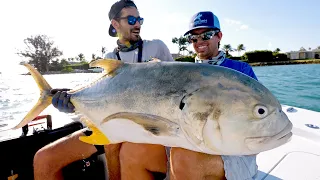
[[81, 26]]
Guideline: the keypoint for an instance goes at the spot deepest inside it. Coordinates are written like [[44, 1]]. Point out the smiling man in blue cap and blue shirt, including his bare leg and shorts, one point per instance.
[[205, 35]]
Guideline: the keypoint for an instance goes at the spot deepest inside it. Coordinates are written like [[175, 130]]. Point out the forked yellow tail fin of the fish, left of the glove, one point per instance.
[[45, 96]]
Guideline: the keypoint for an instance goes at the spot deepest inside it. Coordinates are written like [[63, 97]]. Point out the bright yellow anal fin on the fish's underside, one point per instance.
[[97, 137]]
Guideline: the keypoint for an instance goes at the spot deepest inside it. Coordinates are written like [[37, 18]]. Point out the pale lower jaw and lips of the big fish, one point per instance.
[[282, 136]]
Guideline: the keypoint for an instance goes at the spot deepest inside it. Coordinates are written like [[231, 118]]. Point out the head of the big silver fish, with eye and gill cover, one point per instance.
[[235, 116]]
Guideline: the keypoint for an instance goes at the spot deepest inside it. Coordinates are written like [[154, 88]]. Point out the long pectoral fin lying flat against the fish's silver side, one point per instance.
[[154, 124]]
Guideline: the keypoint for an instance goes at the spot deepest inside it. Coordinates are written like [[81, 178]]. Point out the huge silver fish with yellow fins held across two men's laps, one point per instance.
[[209, 109]]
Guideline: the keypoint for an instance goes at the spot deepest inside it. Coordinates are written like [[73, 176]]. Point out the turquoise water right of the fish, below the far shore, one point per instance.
[[294, 85]]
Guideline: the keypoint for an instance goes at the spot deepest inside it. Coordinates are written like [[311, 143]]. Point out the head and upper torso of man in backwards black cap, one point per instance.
[[126, 24]]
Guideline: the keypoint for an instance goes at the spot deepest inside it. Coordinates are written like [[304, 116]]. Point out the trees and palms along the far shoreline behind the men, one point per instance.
[[44, 55]]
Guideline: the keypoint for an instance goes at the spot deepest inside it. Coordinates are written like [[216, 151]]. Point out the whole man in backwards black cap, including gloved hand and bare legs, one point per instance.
[[50, 160]]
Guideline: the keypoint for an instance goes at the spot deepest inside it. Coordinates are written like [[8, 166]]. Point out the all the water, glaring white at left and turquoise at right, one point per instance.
[[294, 85]]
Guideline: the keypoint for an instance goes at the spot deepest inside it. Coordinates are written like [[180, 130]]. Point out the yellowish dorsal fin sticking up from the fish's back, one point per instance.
[[109, 65]]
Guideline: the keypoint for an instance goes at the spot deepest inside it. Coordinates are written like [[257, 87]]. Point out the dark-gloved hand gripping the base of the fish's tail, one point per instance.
[[61, 100]]
